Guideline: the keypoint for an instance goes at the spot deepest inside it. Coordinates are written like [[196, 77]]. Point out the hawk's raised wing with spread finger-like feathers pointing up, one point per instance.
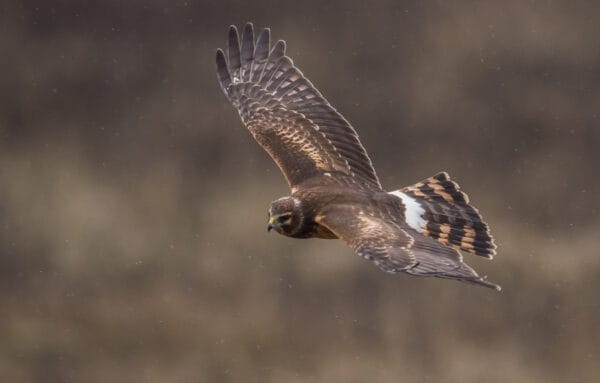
[[287, 115]]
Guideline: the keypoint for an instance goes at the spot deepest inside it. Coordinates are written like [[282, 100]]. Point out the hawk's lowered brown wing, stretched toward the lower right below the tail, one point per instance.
[[394, 247]]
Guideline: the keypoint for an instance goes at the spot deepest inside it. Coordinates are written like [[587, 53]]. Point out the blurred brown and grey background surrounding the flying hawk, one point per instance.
[[133, 202]]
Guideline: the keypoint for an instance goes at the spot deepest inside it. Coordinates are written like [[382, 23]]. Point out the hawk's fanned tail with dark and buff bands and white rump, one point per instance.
[[437, 208]]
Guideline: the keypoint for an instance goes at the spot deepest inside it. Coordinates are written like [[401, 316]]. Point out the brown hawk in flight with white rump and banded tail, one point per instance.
[[335, 193]]
